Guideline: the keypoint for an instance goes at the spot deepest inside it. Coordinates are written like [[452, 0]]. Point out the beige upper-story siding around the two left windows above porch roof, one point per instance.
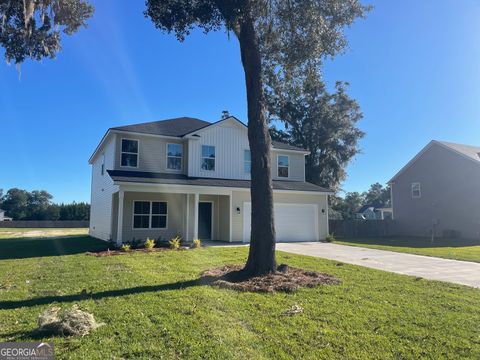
[[152, 153]]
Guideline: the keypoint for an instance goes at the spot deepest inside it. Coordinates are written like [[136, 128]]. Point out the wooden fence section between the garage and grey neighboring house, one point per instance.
[[362, 228]]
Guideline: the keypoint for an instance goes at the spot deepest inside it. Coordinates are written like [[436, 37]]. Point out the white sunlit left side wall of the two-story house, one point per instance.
[[101, 193]]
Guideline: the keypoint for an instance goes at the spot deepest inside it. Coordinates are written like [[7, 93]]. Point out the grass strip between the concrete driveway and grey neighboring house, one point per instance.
[[466, 250]]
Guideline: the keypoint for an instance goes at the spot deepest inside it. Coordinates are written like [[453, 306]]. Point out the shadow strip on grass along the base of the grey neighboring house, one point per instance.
[[413, 242]]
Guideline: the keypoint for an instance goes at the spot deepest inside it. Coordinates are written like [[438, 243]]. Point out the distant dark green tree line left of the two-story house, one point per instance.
[[21, 204]]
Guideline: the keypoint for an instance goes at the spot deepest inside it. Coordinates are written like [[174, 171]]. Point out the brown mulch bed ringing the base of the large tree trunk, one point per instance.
[[285, 279]]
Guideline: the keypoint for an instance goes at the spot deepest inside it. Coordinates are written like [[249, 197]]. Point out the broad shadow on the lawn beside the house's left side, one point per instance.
[[22, 248]]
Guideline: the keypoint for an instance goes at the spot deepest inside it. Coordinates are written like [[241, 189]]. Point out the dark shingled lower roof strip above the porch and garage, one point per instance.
[[178, 179]]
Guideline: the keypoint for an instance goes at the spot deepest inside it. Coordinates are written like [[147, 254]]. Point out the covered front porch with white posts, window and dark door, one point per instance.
[[162, 212]]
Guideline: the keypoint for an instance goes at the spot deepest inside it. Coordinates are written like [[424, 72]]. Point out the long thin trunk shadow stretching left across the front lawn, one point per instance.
[[15, 304]]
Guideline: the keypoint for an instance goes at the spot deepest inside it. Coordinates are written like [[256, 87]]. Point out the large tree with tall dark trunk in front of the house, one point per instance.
[[275, 38]]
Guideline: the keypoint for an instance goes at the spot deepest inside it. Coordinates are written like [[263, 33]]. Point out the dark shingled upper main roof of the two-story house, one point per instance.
[[182, 126]]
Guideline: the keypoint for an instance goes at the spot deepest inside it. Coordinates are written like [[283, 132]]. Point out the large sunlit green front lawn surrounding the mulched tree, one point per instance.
[[154, 307]]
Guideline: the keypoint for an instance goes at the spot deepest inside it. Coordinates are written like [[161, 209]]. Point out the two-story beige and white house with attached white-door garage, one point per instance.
[[191, 178]]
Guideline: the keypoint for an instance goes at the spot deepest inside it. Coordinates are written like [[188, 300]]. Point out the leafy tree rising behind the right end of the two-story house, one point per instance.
[[324, 123]]
